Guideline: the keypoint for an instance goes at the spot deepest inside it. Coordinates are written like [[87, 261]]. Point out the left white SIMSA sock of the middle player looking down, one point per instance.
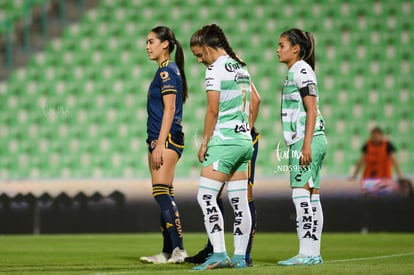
[[213, 218]]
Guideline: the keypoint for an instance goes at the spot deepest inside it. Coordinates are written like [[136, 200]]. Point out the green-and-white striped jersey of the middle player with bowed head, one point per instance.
[[229, 78]]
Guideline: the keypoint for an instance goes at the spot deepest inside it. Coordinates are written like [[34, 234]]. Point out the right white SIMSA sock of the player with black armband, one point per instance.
[[317, 224]]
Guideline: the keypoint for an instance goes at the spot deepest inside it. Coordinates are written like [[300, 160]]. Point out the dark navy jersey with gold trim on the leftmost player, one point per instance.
[[167, 80]]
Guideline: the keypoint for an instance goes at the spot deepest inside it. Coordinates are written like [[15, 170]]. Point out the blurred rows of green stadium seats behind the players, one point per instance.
[[78, 109]]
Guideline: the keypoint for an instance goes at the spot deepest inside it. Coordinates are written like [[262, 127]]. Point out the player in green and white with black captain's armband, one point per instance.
[[303, 131]]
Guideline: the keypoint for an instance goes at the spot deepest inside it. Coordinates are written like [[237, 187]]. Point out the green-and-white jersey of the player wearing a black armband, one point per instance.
[[293, 111]]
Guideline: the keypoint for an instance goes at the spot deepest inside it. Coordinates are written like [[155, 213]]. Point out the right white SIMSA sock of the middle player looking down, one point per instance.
[[237, 193]]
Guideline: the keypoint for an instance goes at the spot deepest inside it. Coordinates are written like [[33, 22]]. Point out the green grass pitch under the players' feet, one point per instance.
[[112, 254]]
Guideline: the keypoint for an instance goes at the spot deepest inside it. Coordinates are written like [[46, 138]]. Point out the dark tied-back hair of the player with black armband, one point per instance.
[[306, 42]]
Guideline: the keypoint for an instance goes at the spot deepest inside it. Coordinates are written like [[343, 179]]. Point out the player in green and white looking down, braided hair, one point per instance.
[[226, 145]]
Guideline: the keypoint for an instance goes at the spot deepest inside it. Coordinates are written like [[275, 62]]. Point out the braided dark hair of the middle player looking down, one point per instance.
[[214, 37]]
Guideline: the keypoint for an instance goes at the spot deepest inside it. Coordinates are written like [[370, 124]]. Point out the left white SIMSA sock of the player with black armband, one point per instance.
[[304, 220]]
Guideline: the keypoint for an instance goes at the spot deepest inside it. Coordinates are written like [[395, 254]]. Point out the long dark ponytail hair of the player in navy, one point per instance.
[[165, 33]]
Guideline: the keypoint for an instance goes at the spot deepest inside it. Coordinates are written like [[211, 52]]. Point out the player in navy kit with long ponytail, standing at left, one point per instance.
[[165, 137]]
